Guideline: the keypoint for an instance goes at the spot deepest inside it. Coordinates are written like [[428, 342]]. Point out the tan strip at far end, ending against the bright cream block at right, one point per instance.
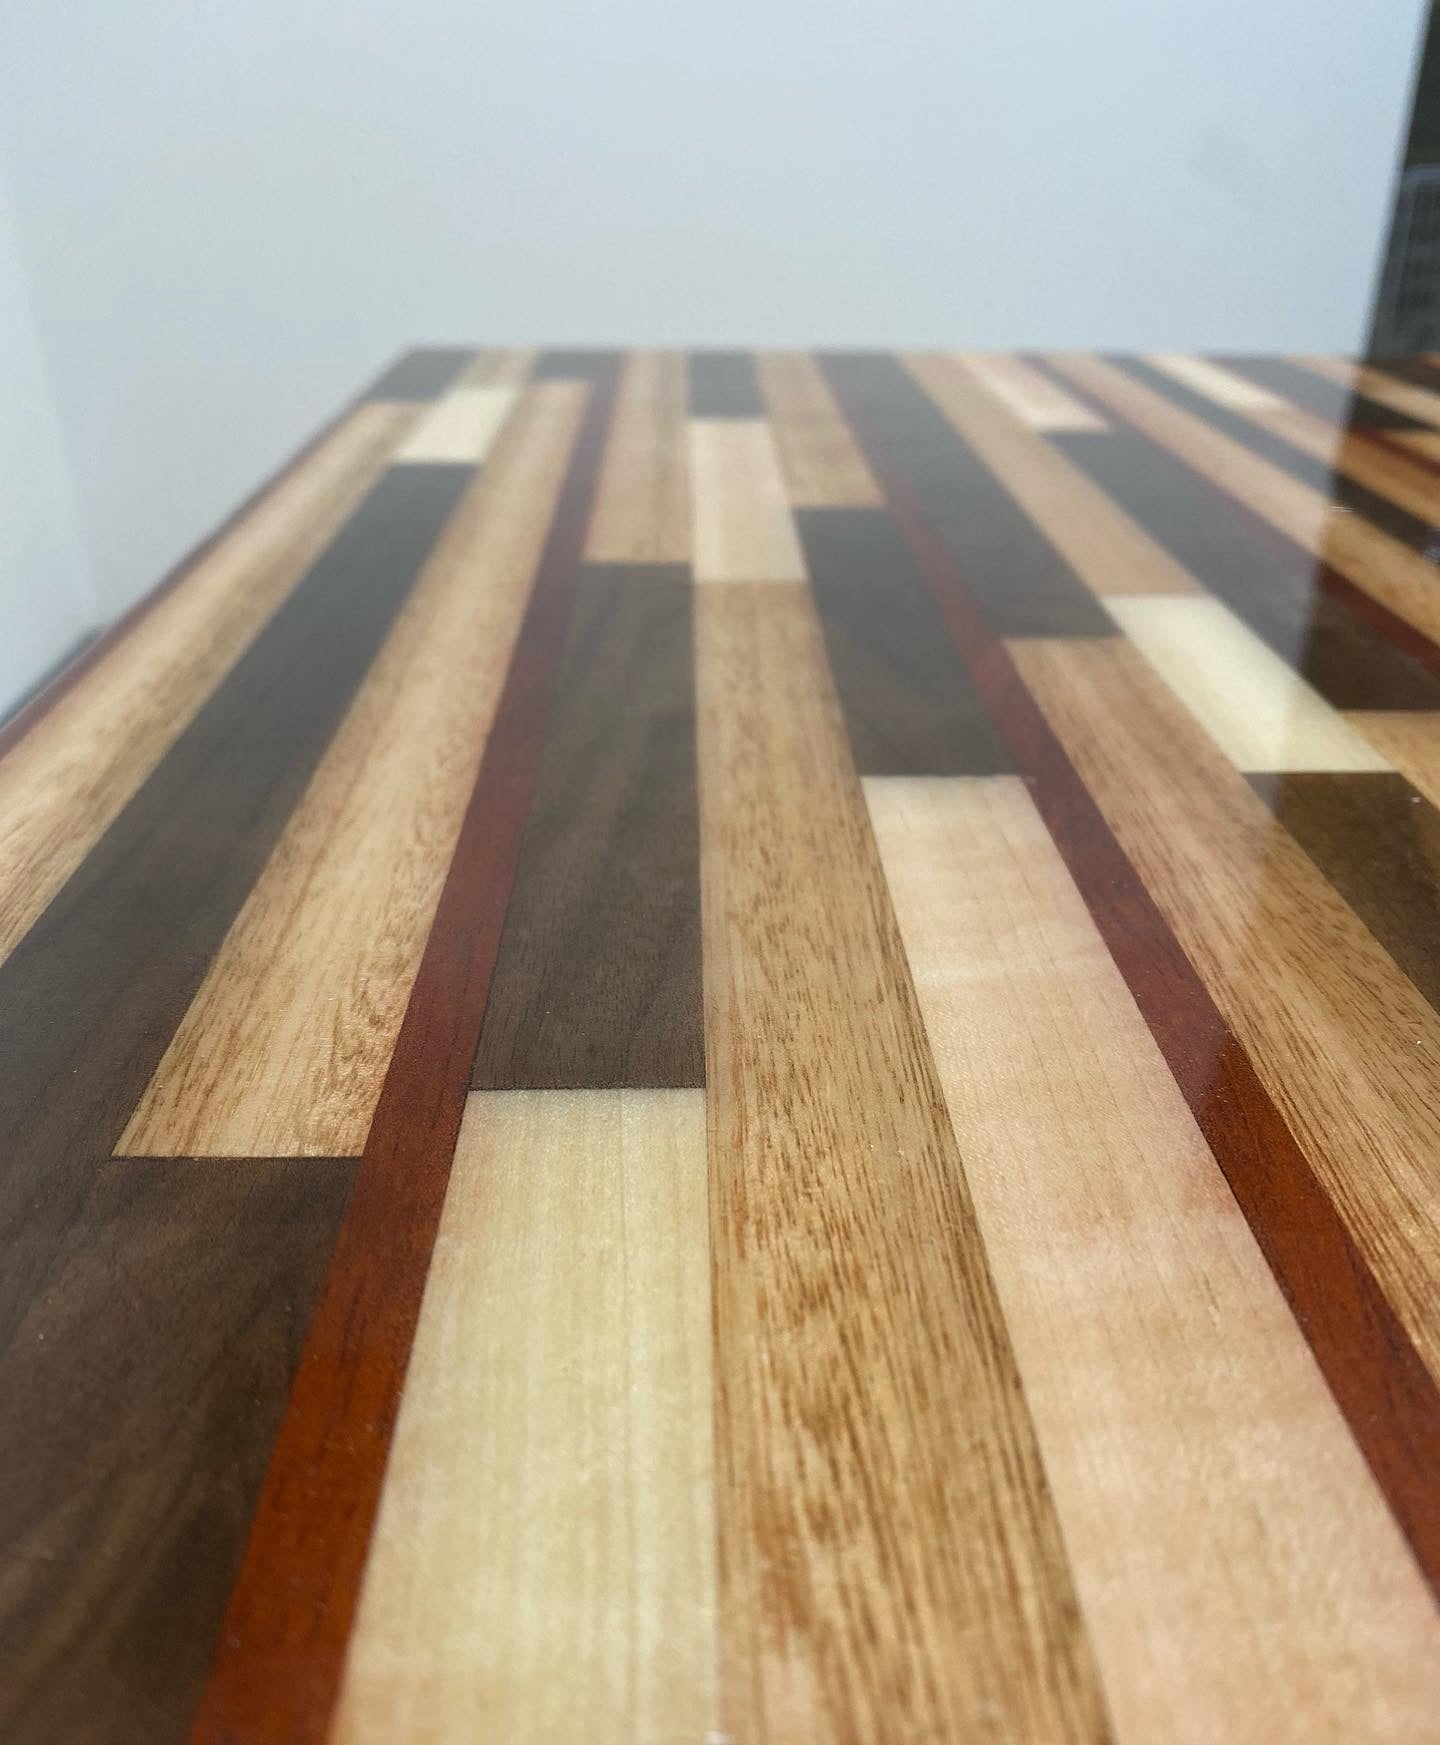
[[1106, 549]]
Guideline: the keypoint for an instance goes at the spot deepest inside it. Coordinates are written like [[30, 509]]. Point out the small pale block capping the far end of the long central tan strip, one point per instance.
[[743, 523]]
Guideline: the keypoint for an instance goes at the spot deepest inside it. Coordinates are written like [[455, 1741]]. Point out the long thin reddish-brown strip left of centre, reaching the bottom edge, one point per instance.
[[284, 1639]]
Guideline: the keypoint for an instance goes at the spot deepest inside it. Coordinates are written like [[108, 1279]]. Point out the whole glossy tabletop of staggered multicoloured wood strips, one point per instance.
[[743, 1051]]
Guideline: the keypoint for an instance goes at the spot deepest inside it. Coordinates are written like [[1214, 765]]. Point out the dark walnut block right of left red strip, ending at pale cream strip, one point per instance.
[[598, 983]]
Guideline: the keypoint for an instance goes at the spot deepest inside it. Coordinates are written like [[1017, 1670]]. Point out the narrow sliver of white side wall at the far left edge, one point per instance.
[[46, 596]]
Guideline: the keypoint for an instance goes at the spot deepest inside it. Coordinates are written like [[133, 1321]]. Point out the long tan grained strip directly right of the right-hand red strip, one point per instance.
[[1341, 1039]]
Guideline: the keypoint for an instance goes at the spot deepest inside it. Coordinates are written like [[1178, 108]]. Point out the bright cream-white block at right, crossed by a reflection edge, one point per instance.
[[1256, 708]]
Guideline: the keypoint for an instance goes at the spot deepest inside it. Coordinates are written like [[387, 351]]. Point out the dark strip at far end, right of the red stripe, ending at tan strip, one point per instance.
[[1024, 582]]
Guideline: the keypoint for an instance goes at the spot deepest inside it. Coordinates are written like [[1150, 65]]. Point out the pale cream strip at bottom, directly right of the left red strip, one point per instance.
[[544, 1568]]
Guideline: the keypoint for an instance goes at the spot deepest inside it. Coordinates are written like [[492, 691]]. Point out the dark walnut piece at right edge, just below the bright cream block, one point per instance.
[[1378, 842]]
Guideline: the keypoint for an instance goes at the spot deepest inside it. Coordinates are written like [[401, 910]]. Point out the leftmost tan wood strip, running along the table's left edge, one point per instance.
[[72, 774]]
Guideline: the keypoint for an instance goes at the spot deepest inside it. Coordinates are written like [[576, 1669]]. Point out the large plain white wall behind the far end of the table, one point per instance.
[[237, 209]]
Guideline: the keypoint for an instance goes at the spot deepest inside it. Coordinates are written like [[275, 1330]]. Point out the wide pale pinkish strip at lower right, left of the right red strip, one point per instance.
[[1221, 1523]]
